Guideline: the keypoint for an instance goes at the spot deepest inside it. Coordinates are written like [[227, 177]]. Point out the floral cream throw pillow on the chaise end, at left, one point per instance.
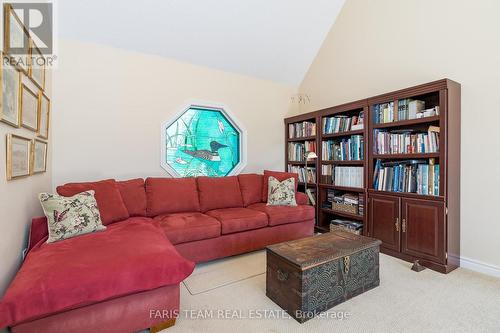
[[70, 216]]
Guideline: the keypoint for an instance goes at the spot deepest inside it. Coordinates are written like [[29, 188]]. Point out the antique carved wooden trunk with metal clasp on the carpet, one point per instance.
[[313, 274]]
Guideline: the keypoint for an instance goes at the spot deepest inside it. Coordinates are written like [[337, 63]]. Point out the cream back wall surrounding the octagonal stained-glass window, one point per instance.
[[114, 101]]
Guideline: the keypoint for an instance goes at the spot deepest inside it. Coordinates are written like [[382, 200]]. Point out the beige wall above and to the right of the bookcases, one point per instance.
[[384, 45]]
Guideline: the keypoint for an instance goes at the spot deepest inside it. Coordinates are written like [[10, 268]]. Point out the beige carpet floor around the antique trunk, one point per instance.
[[405, 301]]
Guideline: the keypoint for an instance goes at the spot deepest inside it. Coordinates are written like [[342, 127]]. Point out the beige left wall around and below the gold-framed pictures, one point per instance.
[[19, 202]]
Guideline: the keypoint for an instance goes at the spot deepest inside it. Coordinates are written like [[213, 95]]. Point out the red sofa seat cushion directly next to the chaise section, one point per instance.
[[188, 227]]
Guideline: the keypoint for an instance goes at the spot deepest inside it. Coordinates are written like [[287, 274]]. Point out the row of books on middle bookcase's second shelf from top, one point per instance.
[[348, 149]]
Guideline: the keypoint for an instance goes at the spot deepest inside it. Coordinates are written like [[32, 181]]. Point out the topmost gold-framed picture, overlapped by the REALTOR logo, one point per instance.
[[16, 37]]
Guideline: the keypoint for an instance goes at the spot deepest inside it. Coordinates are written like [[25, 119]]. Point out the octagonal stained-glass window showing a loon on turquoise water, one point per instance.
[[202, 141]]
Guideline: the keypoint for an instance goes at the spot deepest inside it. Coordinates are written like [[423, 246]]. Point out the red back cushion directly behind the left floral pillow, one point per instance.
[[107, 195]]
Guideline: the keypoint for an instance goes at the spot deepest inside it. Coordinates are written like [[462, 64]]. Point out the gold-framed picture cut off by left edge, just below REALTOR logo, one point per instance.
[[10, 93]]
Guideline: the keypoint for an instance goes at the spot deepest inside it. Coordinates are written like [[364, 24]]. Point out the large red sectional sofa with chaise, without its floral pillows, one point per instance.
[[156, 230]]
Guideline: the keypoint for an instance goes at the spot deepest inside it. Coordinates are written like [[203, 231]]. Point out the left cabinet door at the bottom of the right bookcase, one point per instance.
[[384, 220]]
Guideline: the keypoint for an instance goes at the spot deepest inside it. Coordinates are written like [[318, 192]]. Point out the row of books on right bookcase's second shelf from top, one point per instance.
[[406, 141]]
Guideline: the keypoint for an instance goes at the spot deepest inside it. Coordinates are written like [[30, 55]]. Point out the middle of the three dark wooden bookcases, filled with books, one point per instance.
[[342, 148]]
